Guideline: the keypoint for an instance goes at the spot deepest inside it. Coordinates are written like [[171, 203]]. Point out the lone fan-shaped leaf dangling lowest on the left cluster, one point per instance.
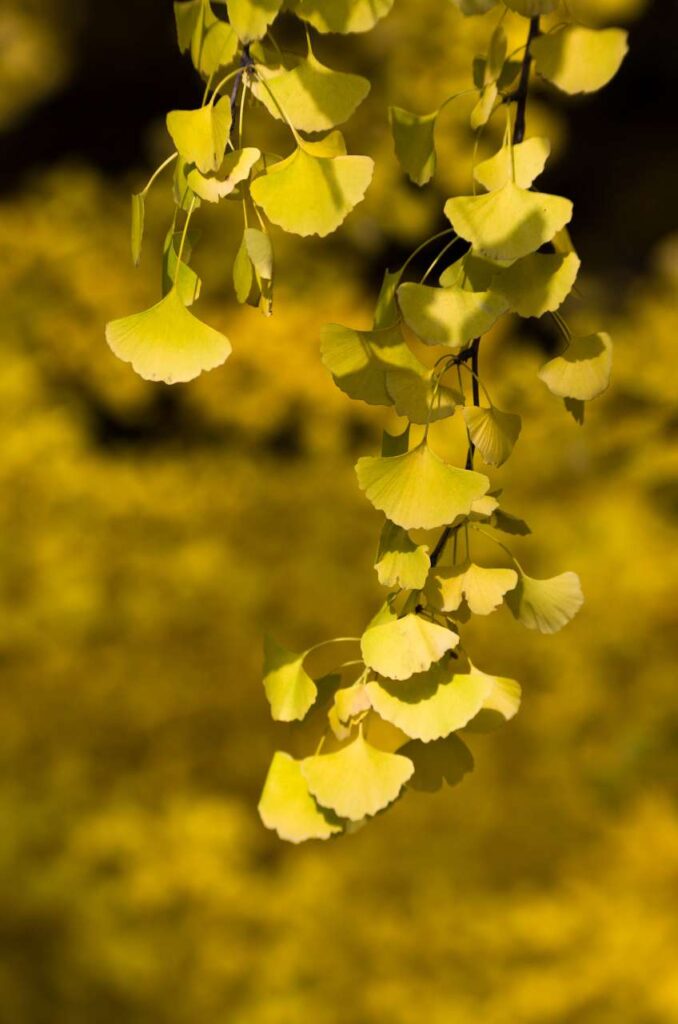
[[167, 344]]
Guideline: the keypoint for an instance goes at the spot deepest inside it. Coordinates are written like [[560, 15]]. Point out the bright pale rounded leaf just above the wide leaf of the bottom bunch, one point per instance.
[[400, 649]]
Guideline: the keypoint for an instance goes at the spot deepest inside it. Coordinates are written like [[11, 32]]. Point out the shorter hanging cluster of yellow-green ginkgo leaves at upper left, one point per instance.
[[310, 192]]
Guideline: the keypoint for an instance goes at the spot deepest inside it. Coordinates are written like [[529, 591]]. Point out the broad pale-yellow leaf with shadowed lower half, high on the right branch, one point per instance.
[[511, 223]]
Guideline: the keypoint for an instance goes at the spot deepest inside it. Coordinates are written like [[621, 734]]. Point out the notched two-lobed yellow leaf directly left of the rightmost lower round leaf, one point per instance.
[[483, 588]]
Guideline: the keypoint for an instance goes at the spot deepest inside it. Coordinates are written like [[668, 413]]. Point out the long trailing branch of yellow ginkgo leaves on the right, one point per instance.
[[388, 708]]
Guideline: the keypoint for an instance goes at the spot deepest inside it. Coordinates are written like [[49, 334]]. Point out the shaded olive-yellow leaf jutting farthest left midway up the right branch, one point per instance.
[[359, 360]]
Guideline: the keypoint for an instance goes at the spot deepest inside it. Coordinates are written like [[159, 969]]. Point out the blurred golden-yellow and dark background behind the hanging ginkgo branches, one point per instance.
[[149, 536]]
